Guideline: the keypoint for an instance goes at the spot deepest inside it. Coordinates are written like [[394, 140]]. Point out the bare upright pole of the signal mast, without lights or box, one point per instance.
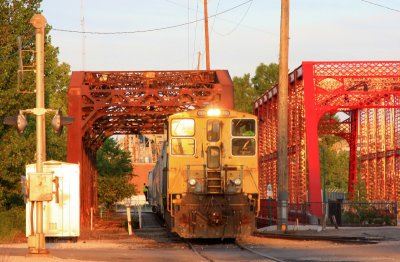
[[38, 21]]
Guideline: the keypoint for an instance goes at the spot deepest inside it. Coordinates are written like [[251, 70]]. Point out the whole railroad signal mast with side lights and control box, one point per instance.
[[40, 184]]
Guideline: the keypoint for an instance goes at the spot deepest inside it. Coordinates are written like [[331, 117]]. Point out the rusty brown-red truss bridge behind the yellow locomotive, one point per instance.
[[112, 103]]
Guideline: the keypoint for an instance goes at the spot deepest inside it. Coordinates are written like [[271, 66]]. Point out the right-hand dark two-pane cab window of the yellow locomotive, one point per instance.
[[243, 141]]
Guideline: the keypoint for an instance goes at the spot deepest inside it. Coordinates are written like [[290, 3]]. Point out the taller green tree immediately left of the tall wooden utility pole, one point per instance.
[[266, 77]]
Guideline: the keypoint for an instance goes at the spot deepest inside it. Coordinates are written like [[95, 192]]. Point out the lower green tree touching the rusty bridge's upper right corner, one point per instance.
[[244, 94]]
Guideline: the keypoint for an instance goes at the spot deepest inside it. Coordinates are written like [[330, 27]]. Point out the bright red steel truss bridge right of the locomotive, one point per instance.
[[368, 94]]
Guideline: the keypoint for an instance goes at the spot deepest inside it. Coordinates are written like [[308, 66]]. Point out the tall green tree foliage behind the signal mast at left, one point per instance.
[[17, 151]]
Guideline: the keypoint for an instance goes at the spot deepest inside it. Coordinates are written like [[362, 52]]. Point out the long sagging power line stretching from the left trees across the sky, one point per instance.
[[149, 30]]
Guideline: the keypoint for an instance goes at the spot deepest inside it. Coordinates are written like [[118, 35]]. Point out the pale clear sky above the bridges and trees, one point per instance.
[[164, 34]]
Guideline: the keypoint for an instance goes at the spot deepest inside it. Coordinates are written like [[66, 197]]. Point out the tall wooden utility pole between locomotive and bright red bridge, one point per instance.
[[283, 119]]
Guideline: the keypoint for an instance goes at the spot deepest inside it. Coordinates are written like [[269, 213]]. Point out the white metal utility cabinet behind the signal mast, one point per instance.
[[60, 215]]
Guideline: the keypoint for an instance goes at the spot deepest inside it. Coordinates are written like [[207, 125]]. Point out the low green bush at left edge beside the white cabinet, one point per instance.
[[12, 223]]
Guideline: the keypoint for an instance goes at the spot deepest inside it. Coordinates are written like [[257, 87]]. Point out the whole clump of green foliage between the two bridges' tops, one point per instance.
[[247, 90]]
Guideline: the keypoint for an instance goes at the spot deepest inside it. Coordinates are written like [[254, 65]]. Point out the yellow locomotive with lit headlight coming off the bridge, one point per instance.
[[205, 184]]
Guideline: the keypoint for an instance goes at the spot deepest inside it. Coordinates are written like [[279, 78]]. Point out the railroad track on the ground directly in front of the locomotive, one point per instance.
[[232, 251]]
